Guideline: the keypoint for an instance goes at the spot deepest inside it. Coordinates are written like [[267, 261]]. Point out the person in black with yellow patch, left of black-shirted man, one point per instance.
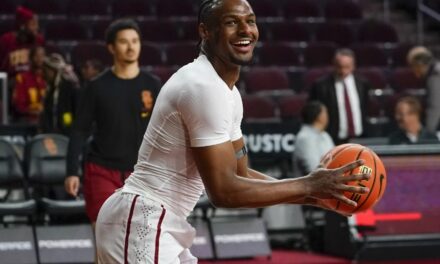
[[61, 98]]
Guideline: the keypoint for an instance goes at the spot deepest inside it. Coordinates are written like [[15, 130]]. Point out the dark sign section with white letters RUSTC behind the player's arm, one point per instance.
[[274, 139]]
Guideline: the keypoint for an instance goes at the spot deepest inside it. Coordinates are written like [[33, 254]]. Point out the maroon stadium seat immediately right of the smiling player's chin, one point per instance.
[[279, 54]]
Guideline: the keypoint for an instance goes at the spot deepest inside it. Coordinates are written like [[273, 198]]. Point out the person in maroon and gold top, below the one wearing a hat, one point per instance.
[[29, 90]]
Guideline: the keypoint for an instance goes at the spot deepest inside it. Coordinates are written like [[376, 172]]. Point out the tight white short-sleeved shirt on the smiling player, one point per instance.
[[195, 108]]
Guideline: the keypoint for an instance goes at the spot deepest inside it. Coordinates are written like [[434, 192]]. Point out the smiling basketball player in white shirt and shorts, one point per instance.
[[194, 142]]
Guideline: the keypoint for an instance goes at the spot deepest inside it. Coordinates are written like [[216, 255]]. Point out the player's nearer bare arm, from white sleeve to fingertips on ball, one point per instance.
[[217, 165]]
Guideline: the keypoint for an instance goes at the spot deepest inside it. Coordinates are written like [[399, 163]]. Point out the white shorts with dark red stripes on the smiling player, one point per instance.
[[134, 229]]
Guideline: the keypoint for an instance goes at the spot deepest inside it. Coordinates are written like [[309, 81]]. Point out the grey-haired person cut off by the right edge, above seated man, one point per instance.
[[424, 66]]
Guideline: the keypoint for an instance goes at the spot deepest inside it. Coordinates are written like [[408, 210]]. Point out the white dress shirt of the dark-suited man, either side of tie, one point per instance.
[[355, 107]]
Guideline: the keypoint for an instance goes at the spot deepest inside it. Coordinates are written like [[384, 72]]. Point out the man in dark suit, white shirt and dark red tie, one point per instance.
[[345, 96]]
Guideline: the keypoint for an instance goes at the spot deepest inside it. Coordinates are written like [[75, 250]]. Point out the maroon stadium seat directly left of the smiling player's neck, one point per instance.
[[181, 53]]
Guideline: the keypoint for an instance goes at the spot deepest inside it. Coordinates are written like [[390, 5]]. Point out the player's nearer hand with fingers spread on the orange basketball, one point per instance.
[[331, 183]]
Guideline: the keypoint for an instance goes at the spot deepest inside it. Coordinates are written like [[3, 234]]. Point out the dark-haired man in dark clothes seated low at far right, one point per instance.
[[411, 131]]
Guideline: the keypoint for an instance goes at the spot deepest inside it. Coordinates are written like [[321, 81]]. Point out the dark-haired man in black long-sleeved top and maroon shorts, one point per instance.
[[116, 106]]
